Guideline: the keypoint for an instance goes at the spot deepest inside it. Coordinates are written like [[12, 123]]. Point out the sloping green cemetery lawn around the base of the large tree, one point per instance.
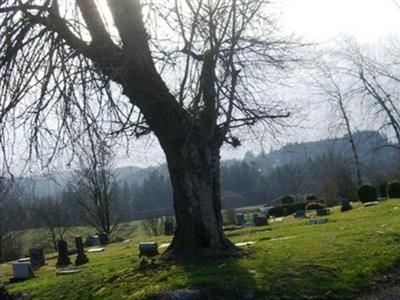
[[288, 260]]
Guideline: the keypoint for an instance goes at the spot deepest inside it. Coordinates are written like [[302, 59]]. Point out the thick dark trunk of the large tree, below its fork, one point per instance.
[[194, 172]]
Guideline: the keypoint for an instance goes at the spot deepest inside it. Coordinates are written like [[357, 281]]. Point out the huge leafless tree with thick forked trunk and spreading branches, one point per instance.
[[193, 72]]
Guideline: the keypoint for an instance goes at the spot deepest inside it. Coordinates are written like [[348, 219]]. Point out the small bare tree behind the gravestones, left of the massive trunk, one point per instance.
[[95, 187]]
